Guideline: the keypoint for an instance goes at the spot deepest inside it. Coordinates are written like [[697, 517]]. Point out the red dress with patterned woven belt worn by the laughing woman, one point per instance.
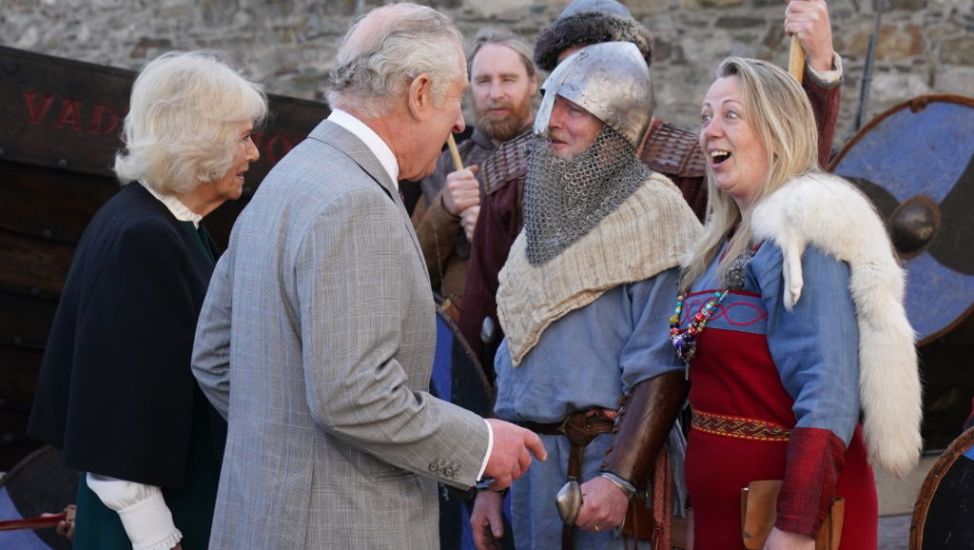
[[744, 430]]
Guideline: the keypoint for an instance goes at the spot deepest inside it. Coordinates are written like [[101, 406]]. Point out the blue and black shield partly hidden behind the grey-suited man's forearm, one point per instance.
[[458, 378]]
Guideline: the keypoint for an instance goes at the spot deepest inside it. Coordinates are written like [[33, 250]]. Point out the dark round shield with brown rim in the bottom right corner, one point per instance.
[[943, 517]]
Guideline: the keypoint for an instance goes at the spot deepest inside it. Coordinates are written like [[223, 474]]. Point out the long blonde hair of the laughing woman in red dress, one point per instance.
[[777, 109]]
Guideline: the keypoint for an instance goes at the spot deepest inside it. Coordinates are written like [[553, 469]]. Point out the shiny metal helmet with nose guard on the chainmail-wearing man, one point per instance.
[[609, 80]]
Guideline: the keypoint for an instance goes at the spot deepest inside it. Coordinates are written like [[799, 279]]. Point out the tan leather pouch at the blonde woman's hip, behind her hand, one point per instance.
[[759, 503]]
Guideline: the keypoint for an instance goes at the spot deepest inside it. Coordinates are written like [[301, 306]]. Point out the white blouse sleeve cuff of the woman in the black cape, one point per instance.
[[145, 516]]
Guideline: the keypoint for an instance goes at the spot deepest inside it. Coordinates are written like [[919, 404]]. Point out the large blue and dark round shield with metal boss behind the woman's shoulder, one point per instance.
[[916, 163]]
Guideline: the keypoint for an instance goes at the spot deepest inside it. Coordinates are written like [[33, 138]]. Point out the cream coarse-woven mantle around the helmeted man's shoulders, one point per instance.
[[646, 234]]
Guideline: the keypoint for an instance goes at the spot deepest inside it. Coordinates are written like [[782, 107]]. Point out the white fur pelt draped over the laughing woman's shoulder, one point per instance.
[[829, 213]]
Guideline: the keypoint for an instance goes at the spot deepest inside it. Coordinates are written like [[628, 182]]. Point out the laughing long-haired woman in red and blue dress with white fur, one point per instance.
[[791, 322]]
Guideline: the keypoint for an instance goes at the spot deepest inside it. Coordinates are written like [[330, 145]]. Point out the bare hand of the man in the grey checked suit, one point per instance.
[[511, 455]]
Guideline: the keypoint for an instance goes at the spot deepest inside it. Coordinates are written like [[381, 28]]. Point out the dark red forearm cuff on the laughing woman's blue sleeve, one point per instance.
[[814, 459]]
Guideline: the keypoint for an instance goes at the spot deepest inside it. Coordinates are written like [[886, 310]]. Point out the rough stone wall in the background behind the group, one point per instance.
[[924, 46]]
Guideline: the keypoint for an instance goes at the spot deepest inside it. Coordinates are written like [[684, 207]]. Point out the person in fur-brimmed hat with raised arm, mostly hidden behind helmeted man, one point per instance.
[[667, 149]]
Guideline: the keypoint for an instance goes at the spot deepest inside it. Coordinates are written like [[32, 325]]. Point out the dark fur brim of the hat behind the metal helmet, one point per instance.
[[586, 28]]
